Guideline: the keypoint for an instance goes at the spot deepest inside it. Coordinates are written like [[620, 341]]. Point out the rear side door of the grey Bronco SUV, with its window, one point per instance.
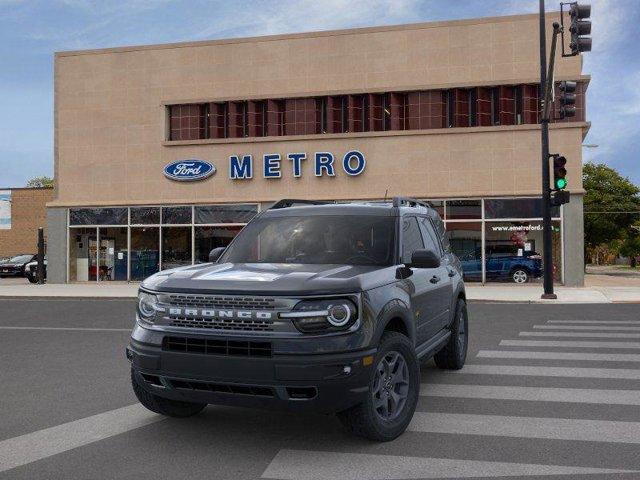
[[442, 290]]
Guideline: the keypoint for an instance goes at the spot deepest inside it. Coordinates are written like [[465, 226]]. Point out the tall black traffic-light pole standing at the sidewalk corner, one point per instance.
[[547, 259]]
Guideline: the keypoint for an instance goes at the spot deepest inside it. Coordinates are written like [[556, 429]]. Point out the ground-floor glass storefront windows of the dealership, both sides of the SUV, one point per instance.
[[496, 239]]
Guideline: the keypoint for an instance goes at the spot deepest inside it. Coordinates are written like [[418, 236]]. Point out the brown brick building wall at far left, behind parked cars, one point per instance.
[[27, 214]]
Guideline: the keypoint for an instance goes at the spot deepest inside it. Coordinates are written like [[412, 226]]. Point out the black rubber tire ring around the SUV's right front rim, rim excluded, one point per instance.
[[389, 430]]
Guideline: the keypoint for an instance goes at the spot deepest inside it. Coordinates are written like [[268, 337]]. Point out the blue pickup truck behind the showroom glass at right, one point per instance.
[[502, 264]]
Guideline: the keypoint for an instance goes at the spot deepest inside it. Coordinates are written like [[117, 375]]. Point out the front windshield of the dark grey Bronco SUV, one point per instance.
[[345, 240]]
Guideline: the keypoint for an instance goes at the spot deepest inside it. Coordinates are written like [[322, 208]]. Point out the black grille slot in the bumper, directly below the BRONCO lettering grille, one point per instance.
[[207, 346]]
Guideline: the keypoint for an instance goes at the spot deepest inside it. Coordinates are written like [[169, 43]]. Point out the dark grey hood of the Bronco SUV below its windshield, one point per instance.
[[270, 279]]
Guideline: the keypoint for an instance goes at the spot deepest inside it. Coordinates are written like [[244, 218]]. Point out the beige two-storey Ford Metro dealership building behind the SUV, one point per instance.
[[163, 152]]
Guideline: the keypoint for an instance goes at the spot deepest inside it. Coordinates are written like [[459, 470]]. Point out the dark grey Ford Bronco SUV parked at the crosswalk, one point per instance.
[[312, 307]]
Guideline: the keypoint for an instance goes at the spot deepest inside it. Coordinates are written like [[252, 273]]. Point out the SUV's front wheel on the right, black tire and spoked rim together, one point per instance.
[[367, 419]]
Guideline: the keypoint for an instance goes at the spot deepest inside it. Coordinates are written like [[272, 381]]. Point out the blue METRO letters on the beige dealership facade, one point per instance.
[[241, 166]]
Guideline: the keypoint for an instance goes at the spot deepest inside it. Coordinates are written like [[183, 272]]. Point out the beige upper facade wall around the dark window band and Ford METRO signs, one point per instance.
[[110, 114]]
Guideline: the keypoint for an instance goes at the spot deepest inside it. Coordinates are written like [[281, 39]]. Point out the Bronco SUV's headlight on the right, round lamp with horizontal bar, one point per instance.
[[328, 315]]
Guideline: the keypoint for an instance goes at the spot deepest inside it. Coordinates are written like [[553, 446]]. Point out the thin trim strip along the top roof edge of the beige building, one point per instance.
[[313, 34]]
